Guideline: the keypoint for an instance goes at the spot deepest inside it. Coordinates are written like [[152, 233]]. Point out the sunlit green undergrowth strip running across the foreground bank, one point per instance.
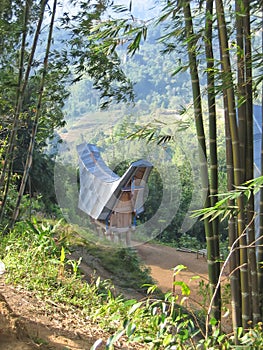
[[37, 258]]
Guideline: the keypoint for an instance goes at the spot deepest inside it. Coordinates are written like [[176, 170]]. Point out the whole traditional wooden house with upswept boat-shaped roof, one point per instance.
[[113, 202]]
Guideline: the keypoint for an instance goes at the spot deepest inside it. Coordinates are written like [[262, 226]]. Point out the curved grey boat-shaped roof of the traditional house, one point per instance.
[[101, 188]]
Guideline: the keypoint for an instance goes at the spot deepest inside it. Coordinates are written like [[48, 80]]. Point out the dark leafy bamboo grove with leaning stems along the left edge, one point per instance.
[[32, 95]]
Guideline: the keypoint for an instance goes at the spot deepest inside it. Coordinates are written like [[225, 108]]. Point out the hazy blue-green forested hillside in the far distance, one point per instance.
[[151, 72]]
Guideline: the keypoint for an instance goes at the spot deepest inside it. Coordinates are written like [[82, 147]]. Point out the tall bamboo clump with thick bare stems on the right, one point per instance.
[[218, 39]]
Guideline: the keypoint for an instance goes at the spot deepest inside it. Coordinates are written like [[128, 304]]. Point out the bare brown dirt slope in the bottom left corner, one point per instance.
[[28, 323]]
